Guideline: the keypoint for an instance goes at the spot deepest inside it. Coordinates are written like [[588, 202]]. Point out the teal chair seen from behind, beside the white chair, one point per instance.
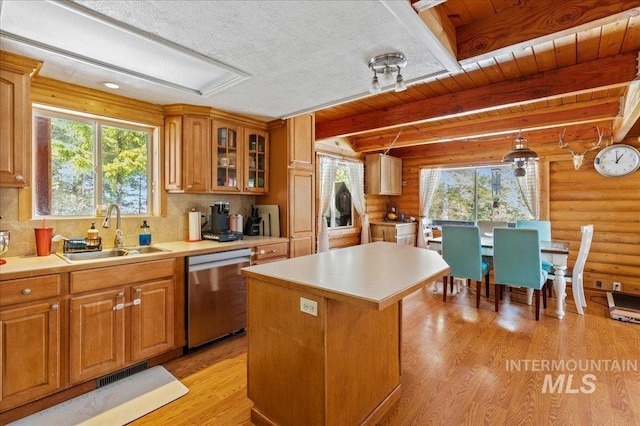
[[516, 262]]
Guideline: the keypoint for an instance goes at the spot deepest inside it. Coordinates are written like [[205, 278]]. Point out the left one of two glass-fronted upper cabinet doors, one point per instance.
[[226, 158]]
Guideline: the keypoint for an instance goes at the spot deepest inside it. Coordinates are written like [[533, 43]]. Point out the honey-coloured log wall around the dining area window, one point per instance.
[[570, 198]]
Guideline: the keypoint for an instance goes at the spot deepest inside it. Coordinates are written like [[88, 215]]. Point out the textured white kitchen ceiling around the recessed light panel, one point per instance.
[[298, 55]]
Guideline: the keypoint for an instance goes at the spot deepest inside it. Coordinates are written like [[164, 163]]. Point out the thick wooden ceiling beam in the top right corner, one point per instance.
[[533, 22]]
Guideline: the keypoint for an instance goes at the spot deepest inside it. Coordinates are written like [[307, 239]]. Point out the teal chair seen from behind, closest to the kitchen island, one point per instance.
[[462, 250]]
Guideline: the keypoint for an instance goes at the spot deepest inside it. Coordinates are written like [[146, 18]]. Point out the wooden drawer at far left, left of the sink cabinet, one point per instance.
[[29, 289]]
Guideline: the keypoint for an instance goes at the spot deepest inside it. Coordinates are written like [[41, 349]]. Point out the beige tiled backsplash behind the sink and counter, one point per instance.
[[173, 227]]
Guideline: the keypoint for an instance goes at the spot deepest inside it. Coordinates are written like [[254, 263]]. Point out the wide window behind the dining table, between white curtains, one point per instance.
[[483, 193]]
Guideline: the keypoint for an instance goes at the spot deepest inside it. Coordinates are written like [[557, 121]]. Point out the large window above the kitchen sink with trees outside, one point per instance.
[[83, 162]]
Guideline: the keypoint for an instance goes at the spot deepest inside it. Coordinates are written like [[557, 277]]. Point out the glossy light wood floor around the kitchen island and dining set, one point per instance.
[[454, 368]]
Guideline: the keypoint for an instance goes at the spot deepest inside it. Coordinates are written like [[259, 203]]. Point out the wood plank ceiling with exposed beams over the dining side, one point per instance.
[[539, 66]]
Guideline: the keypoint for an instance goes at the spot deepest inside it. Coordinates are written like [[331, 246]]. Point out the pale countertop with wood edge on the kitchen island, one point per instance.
[[374, 275]]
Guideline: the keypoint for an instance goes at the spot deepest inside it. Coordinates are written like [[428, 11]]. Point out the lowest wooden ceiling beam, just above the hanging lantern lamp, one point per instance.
[[585, 112]]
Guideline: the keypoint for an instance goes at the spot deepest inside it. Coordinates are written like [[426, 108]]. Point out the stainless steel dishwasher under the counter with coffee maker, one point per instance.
[[216, 295]]
